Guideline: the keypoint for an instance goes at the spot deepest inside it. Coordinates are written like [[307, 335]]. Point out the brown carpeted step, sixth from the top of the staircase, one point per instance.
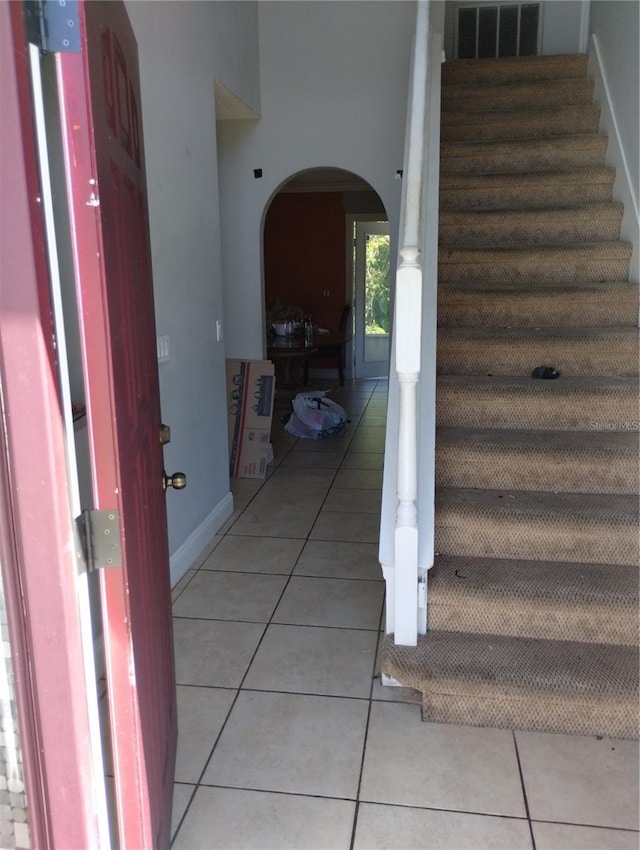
[[536, 229]]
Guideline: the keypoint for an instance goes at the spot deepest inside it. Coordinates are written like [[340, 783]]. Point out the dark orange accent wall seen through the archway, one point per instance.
[[305, 253]]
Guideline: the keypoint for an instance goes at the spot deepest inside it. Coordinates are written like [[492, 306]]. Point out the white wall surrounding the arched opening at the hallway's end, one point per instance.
[[333, 80]]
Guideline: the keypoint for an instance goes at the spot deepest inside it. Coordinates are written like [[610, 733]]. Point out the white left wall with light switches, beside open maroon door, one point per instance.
[[184, 48]]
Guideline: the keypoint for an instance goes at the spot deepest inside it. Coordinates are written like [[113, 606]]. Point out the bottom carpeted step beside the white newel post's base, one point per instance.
[[522, 683]]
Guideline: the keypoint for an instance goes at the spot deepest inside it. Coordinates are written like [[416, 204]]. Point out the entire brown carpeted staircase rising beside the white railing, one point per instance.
[[533, 599]]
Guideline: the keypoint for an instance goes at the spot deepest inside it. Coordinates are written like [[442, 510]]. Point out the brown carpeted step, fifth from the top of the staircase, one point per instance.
[[500, 197]]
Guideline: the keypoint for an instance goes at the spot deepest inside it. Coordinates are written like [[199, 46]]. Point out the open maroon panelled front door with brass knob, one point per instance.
[[104, 160]]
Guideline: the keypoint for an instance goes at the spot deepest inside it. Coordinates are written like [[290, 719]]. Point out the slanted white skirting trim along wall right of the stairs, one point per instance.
[[624, 189]]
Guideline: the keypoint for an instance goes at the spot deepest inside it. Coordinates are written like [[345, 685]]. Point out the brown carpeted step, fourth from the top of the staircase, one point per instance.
[[560, 152]]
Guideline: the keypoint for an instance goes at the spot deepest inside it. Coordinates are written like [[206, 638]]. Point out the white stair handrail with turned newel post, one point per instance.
[[407, 530]]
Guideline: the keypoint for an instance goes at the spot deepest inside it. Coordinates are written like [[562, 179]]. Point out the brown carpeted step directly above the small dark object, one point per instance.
[[517, 351]]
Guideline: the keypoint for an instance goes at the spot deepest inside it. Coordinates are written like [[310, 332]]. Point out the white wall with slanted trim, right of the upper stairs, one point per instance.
[[616, 26]]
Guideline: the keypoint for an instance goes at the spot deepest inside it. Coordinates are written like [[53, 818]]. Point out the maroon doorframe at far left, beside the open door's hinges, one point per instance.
[[44, 620]]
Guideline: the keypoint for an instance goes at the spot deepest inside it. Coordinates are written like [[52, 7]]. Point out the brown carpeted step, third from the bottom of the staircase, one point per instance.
[[576, 527]]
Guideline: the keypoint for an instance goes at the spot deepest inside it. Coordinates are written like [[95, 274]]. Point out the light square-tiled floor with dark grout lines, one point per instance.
[[288, 740]]
